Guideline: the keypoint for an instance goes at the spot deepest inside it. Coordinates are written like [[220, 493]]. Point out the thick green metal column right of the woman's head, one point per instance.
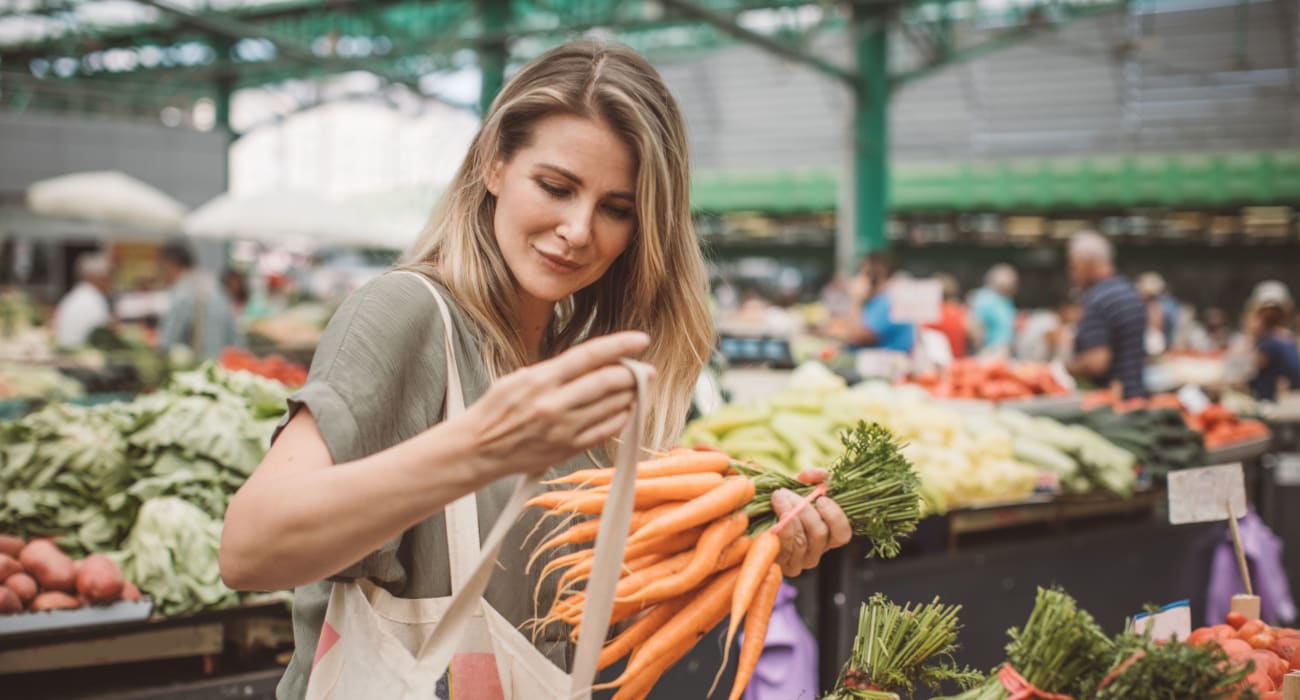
[[872, 129]]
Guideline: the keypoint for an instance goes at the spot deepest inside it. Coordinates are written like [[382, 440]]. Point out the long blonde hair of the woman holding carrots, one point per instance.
[[657, 286]]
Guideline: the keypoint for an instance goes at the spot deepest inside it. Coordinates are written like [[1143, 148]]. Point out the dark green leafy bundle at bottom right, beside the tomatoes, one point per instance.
[[1150, 671]]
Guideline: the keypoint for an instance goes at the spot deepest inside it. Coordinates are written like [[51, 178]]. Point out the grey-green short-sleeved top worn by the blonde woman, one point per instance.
[[378, 379]]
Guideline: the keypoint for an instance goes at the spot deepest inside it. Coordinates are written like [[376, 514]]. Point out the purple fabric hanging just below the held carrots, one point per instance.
[[787, 671]]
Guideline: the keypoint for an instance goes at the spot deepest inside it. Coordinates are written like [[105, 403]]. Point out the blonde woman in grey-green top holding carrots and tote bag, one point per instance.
[[567, 223]]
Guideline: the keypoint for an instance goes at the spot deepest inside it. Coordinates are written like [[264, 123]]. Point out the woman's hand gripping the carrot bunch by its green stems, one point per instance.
[[821, 528]]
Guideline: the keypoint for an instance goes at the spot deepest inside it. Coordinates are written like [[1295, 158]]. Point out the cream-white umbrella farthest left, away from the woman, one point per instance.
[[107, 197]]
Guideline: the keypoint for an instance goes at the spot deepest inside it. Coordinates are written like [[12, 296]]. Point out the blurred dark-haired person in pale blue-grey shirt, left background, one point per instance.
[[200, 314]]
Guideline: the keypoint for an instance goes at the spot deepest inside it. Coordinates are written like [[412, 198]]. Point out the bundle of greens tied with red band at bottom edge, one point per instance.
[[1061, 650]]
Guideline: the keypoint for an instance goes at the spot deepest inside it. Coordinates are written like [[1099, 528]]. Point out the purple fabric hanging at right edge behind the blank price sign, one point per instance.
[[1268, 577]]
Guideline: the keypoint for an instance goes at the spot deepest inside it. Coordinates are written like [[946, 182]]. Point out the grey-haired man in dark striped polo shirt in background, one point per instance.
[[1110, 342]]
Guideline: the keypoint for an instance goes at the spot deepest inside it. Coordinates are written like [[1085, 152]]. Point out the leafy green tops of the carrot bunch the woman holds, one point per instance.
[[872, 481]]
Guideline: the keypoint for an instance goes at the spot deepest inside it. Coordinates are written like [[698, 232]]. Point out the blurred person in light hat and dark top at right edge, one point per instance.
[[1268, 323]]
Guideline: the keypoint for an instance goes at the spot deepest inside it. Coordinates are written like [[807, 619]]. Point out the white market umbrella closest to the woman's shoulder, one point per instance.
[[275, 218]]
